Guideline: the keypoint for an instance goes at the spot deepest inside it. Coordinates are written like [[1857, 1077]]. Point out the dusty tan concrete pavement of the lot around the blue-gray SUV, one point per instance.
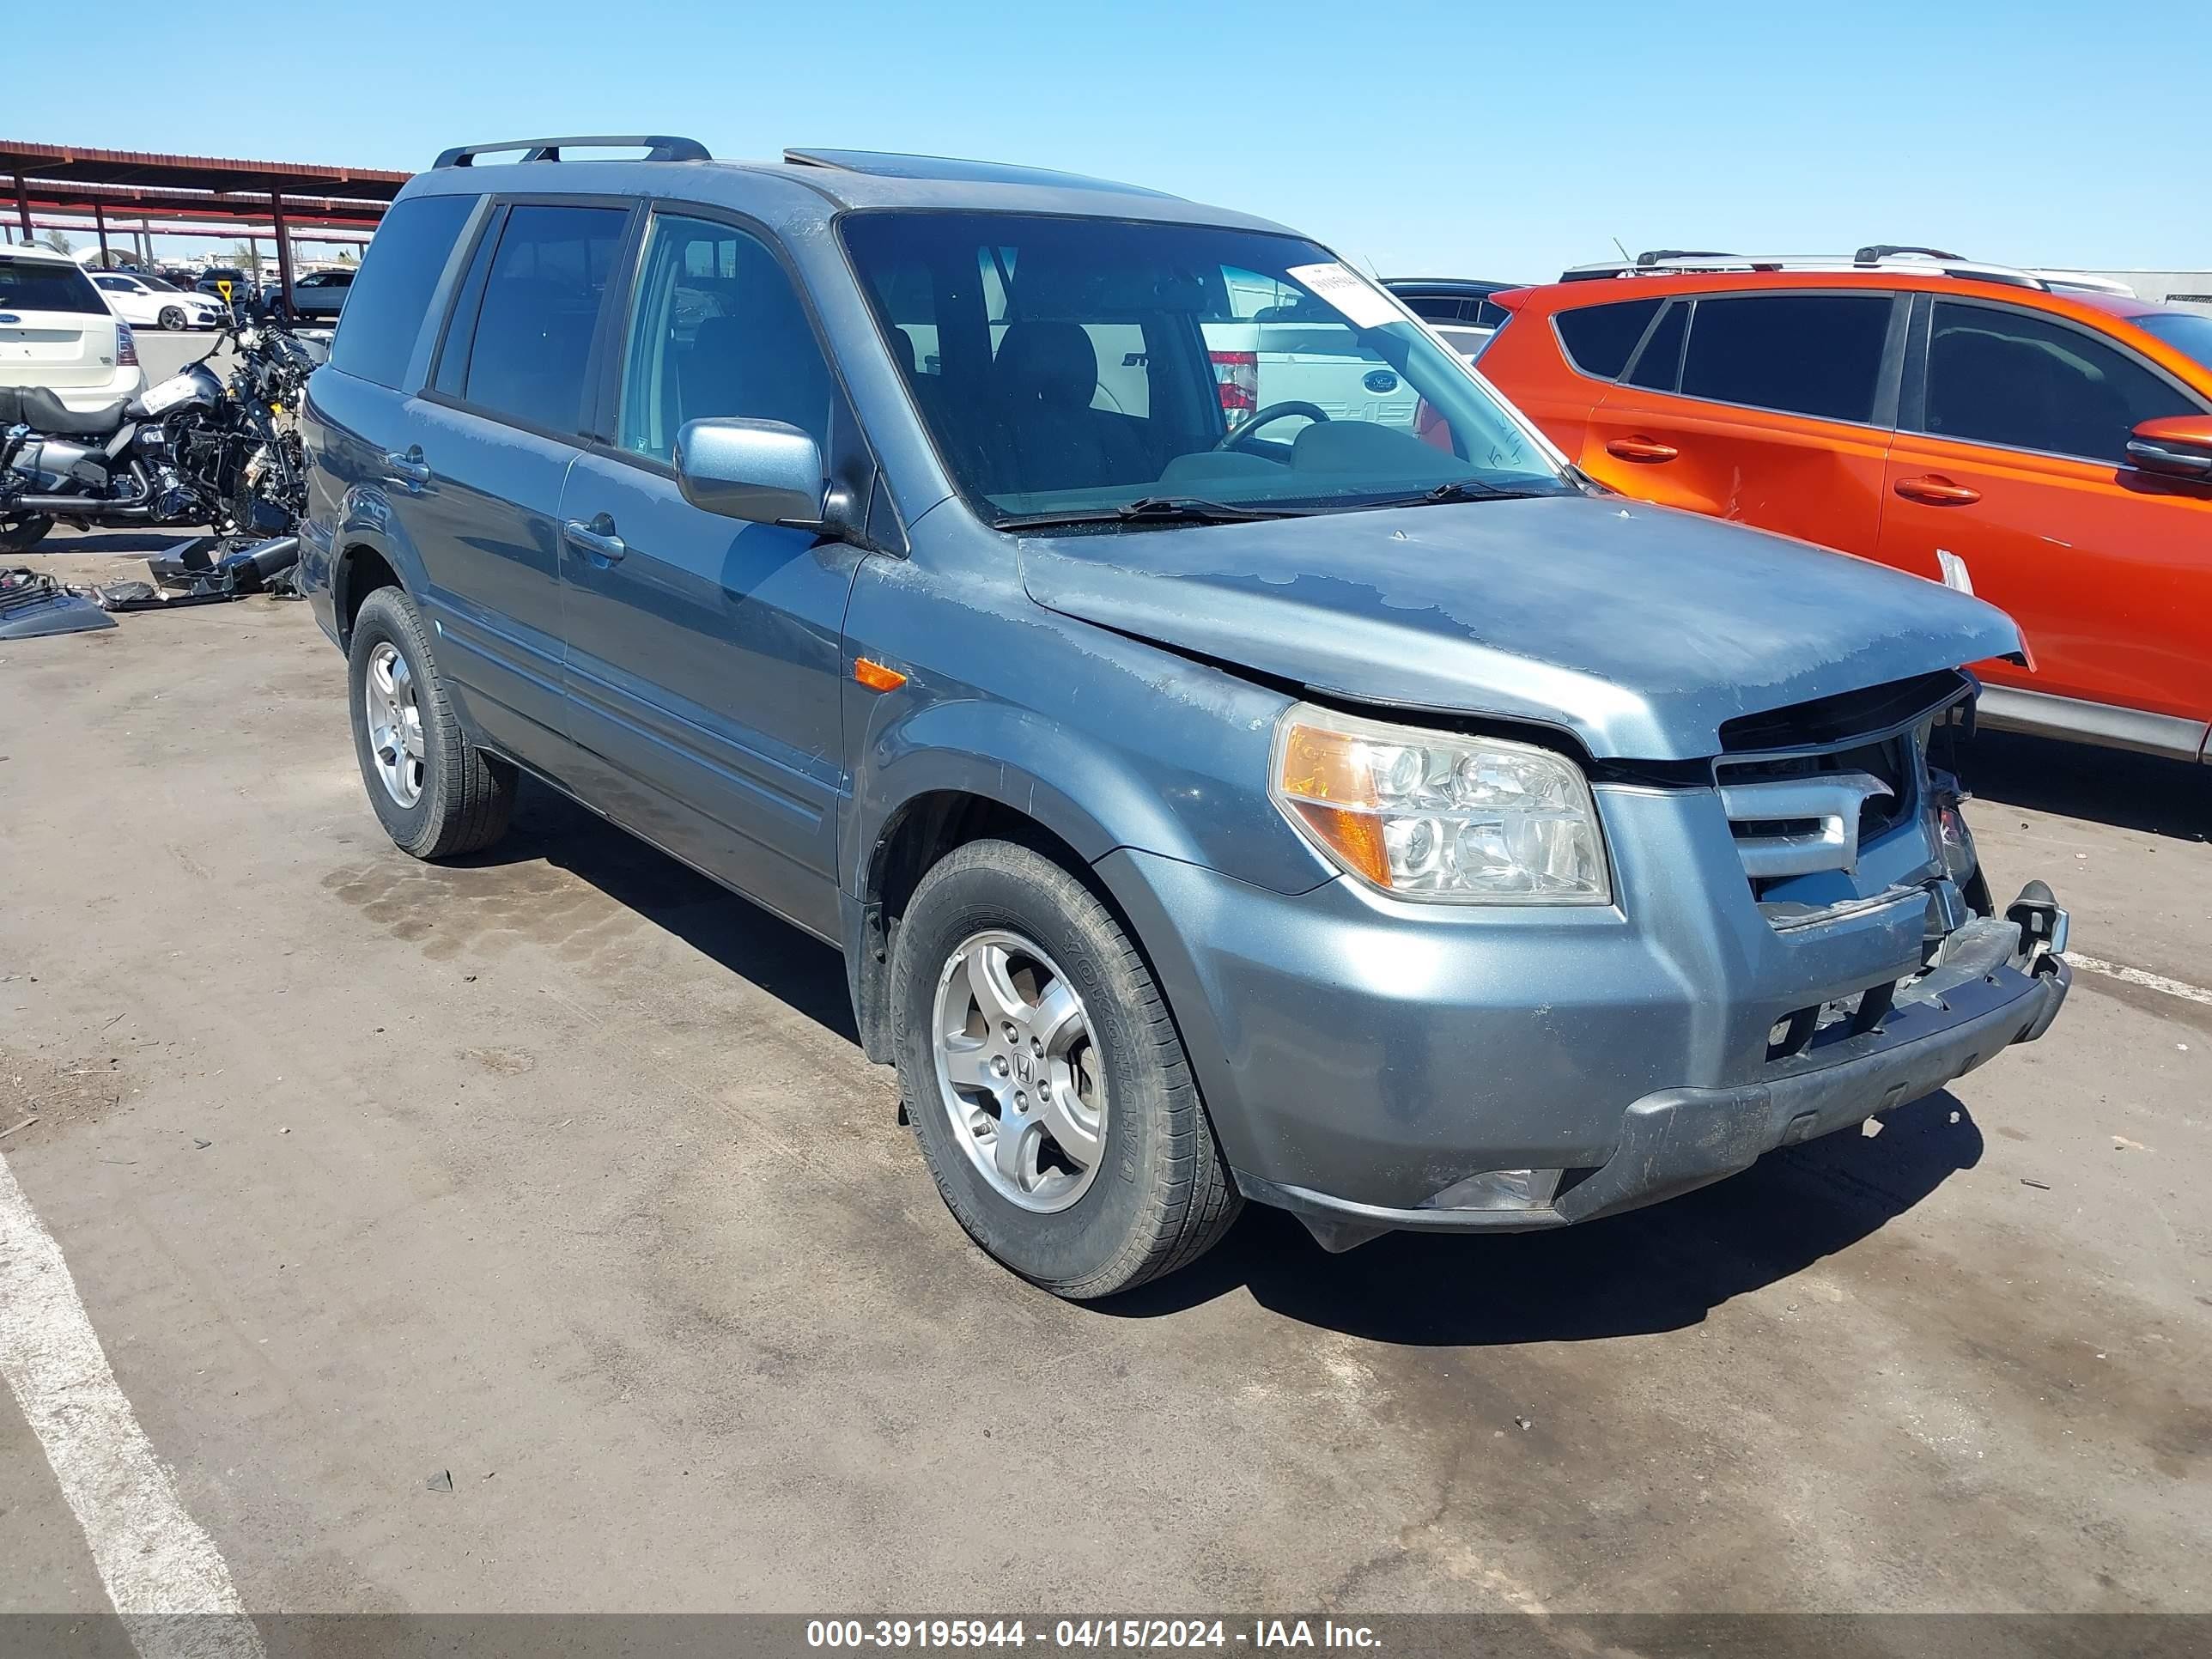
[[559, 1173]]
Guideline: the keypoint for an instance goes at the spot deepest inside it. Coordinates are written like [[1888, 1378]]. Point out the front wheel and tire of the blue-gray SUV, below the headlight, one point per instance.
[[1047, 1083]]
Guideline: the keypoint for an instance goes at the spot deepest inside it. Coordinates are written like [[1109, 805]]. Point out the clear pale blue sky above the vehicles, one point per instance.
[[1419, 138]]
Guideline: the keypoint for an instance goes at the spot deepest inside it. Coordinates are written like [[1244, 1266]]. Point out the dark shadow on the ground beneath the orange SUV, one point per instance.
[[2083, 782]]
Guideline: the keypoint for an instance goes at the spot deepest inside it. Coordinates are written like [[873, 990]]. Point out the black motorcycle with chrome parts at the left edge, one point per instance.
[[196, 450]]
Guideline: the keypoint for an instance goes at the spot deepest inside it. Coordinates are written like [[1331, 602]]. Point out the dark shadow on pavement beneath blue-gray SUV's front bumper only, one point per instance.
[[1651, 1271]]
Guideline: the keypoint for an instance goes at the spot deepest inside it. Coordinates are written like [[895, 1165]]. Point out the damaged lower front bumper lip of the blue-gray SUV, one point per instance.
[[1996, 981]]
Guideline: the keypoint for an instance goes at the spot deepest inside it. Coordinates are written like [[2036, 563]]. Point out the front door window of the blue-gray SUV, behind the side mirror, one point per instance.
[[718, 331]]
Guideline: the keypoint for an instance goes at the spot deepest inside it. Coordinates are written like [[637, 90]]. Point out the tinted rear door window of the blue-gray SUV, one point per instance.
[[532, 340]]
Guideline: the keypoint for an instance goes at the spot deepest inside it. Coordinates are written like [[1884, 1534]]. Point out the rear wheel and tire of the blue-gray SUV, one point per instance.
[[435, 791]]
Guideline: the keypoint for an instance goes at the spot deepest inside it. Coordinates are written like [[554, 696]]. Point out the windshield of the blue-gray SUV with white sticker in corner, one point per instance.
[[1074, 368]]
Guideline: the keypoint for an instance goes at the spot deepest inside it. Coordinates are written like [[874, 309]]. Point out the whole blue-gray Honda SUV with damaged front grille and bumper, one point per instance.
[[1233, 751]]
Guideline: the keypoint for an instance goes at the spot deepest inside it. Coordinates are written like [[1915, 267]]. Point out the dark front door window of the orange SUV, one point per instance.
[[2005, 377]]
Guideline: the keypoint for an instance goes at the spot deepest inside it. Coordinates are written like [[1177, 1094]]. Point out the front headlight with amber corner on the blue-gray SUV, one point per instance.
[[1437, 815]]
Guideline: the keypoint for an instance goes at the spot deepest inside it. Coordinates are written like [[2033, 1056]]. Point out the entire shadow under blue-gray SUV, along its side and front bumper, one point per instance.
[[1651, 1271]]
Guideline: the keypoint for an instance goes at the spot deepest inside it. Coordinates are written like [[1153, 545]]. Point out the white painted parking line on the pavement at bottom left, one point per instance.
[[160, 1569]]
